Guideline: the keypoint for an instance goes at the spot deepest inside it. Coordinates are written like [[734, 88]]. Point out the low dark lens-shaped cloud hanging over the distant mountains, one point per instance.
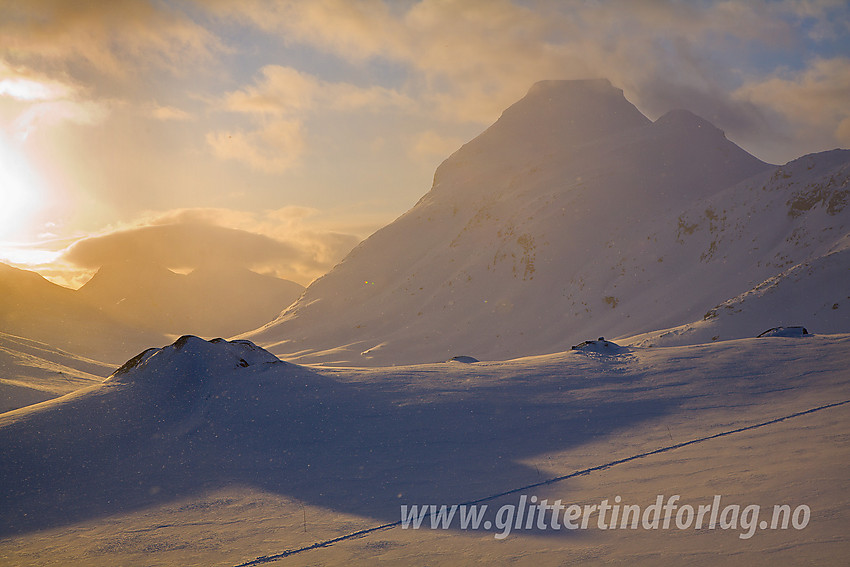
[[278, 242]]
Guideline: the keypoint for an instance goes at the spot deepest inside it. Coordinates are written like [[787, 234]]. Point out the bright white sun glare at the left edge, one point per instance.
[[20, 194]]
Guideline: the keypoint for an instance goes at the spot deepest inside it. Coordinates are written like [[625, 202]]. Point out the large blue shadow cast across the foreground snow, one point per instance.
[[358, 448]]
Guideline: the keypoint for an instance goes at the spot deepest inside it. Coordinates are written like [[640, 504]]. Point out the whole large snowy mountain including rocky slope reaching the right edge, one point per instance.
[[574, 216]]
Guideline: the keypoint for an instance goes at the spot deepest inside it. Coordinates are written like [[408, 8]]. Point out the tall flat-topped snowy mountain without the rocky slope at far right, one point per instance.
[[527, 254]]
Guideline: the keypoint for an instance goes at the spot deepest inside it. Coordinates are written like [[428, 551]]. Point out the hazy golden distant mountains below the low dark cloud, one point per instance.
[[128, 307]]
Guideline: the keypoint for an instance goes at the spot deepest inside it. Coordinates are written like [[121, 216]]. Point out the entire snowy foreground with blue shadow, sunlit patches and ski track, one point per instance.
[[217, 453]]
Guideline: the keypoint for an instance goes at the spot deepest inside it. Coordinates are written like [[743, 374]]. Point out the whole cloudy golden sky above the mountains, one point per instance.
[[276, 135]]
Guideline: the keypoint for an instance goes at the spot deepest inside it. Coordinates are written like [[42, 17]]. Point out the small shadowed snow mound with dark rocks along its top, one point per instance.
[[192, 356]]
